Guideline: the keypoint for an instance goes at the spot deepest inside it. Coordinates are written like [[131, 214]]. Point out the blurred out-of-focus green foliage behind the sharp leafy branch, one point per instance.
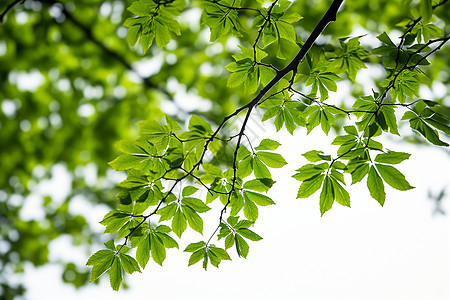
[[70, 87]]
